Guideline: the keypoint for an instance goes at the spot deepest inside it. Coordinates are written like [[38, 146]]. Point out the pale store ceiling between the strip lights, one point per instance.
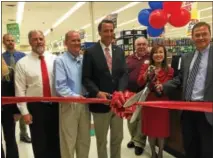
[[42, 15]]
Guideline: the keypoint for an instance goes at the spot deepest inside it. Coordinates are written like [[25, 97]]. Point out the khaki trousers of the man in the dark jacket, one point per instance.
[[102, 122]]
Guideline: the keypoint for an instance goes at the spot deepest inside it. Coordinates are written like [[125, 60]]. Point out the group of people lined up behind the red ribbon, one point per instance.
[[62, 129]]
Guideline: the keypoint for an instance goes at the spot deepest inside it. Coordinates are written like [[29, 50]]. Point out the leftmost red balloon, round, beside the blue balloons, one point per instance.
[[158, 18]]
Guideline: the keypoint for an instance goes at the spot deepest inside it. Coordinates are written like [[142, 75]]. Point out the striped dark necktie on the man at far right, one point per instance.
[[192, 77]]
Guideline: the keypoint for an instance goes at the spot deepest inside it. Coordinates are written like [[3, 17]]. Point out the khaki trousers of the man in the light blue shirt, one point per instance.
[[74, 126]]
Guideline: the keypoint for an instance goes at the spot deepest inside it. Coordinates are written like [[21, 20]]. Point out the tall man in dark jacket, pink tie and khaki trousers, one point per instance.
[[105, 71]]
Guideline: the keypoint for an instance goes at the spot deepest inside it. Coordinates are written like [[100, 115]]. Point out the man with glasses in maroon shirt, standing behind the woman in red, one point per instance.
[[134, 62]]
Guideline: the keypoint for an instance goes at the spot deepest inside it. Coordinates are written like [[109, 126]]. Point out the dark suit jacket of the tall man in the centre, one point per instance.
[[97, 77]]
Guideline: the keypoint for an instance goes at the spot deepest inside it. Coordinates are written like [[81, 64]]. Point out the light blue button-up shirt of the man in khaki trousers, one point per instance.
[[68, 75]]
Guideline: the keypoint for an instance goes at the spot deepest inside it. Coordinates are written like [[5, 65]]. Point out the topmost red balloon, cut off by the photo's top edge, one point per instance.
[[172, 7]]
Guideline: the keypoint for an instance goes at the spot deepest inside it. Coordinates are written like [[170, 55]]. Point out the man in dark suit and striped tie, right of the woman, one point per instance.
[[195, 79]]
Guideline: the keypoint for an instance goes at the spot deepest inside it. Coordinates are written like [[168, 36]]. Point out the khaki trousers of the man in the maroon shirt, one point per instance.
[[135, 131]]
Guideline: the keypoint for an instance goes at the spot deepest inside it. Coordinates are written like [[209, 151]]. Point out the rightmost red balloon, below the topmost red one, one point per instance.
[[180, 19]]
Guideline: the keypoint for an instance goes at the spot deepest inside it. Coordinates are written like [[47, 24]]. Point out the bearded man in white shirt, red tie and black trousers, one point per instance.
[[34, 77]]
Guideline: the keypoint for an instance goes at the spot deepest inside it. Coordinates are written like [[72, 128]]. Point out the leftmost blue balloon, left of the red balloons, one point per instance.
[[143, 17]]
